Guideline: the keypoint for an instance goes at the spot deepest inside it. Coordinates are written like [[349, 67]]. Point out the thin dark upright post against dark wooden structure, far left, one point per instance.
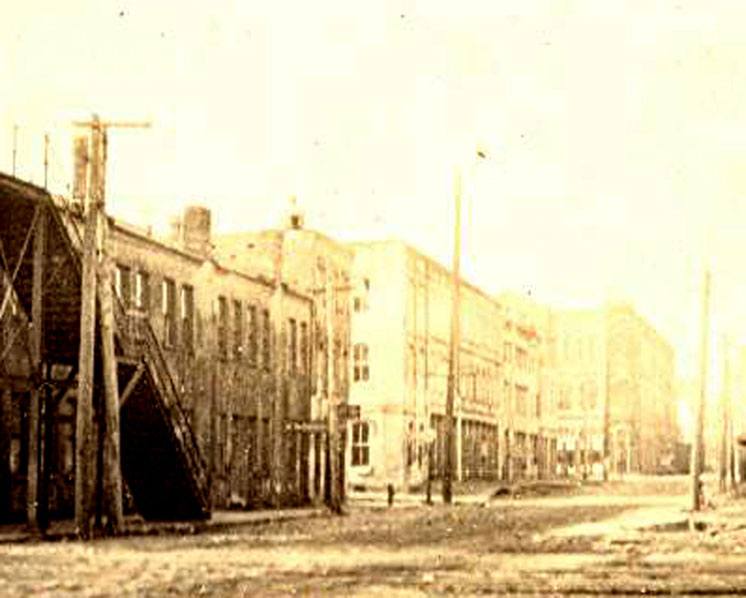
[[37, 330]]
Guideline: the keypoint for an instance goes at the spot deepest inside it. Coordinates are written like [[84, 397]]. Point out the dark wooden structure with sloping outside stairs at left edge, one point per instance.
[[164, 471]]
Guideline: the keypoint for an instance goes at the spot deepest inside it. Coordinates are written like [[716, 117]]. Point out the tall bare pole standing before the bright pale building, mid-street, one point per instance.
[[453, 355]]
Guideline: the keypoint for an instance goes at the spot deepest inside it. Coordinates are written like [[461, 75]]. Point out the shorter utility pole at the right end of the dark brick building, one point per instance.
[[335, 503]]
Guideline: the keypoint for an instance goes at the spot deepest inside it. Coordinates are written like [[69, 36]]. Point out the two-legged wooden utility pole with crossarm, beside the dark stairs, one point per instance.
[[96, 281]]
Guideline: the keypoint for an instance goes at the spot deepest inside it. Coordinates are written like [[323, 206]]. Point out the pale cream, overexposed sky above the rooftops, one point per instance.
[[613, 132]]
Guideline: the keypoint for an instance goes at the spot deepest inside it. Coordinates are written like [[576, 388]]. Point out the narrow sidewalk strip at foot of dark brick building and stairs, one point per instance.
[[135, 526]]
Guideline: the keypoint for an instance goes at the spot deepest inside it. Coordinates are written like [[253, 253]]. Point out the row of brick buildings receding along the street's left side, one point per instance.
[[265, 332]]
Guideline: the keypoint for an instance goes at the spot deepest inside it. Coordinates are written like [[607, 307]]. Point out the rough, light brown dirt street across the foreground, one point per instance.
[[584, 544]]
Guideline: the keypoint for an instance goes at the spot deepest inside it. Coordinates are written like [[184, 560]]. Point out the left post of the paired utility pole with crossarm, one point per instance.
[[85, 437]]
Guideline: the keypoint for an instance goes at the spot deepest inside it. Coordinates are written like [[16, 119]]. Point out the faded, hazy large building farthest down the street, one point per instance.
[[613, 385]]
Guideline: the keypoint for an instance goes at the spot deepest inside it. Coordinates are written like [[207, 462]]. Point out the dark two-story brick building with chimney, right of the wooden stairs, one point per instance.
[[229, 337]]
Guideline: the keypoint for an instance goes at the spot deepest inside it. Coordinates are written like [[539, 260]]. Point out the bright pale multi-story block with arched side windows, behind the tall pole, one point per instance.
[[400, 338]]
